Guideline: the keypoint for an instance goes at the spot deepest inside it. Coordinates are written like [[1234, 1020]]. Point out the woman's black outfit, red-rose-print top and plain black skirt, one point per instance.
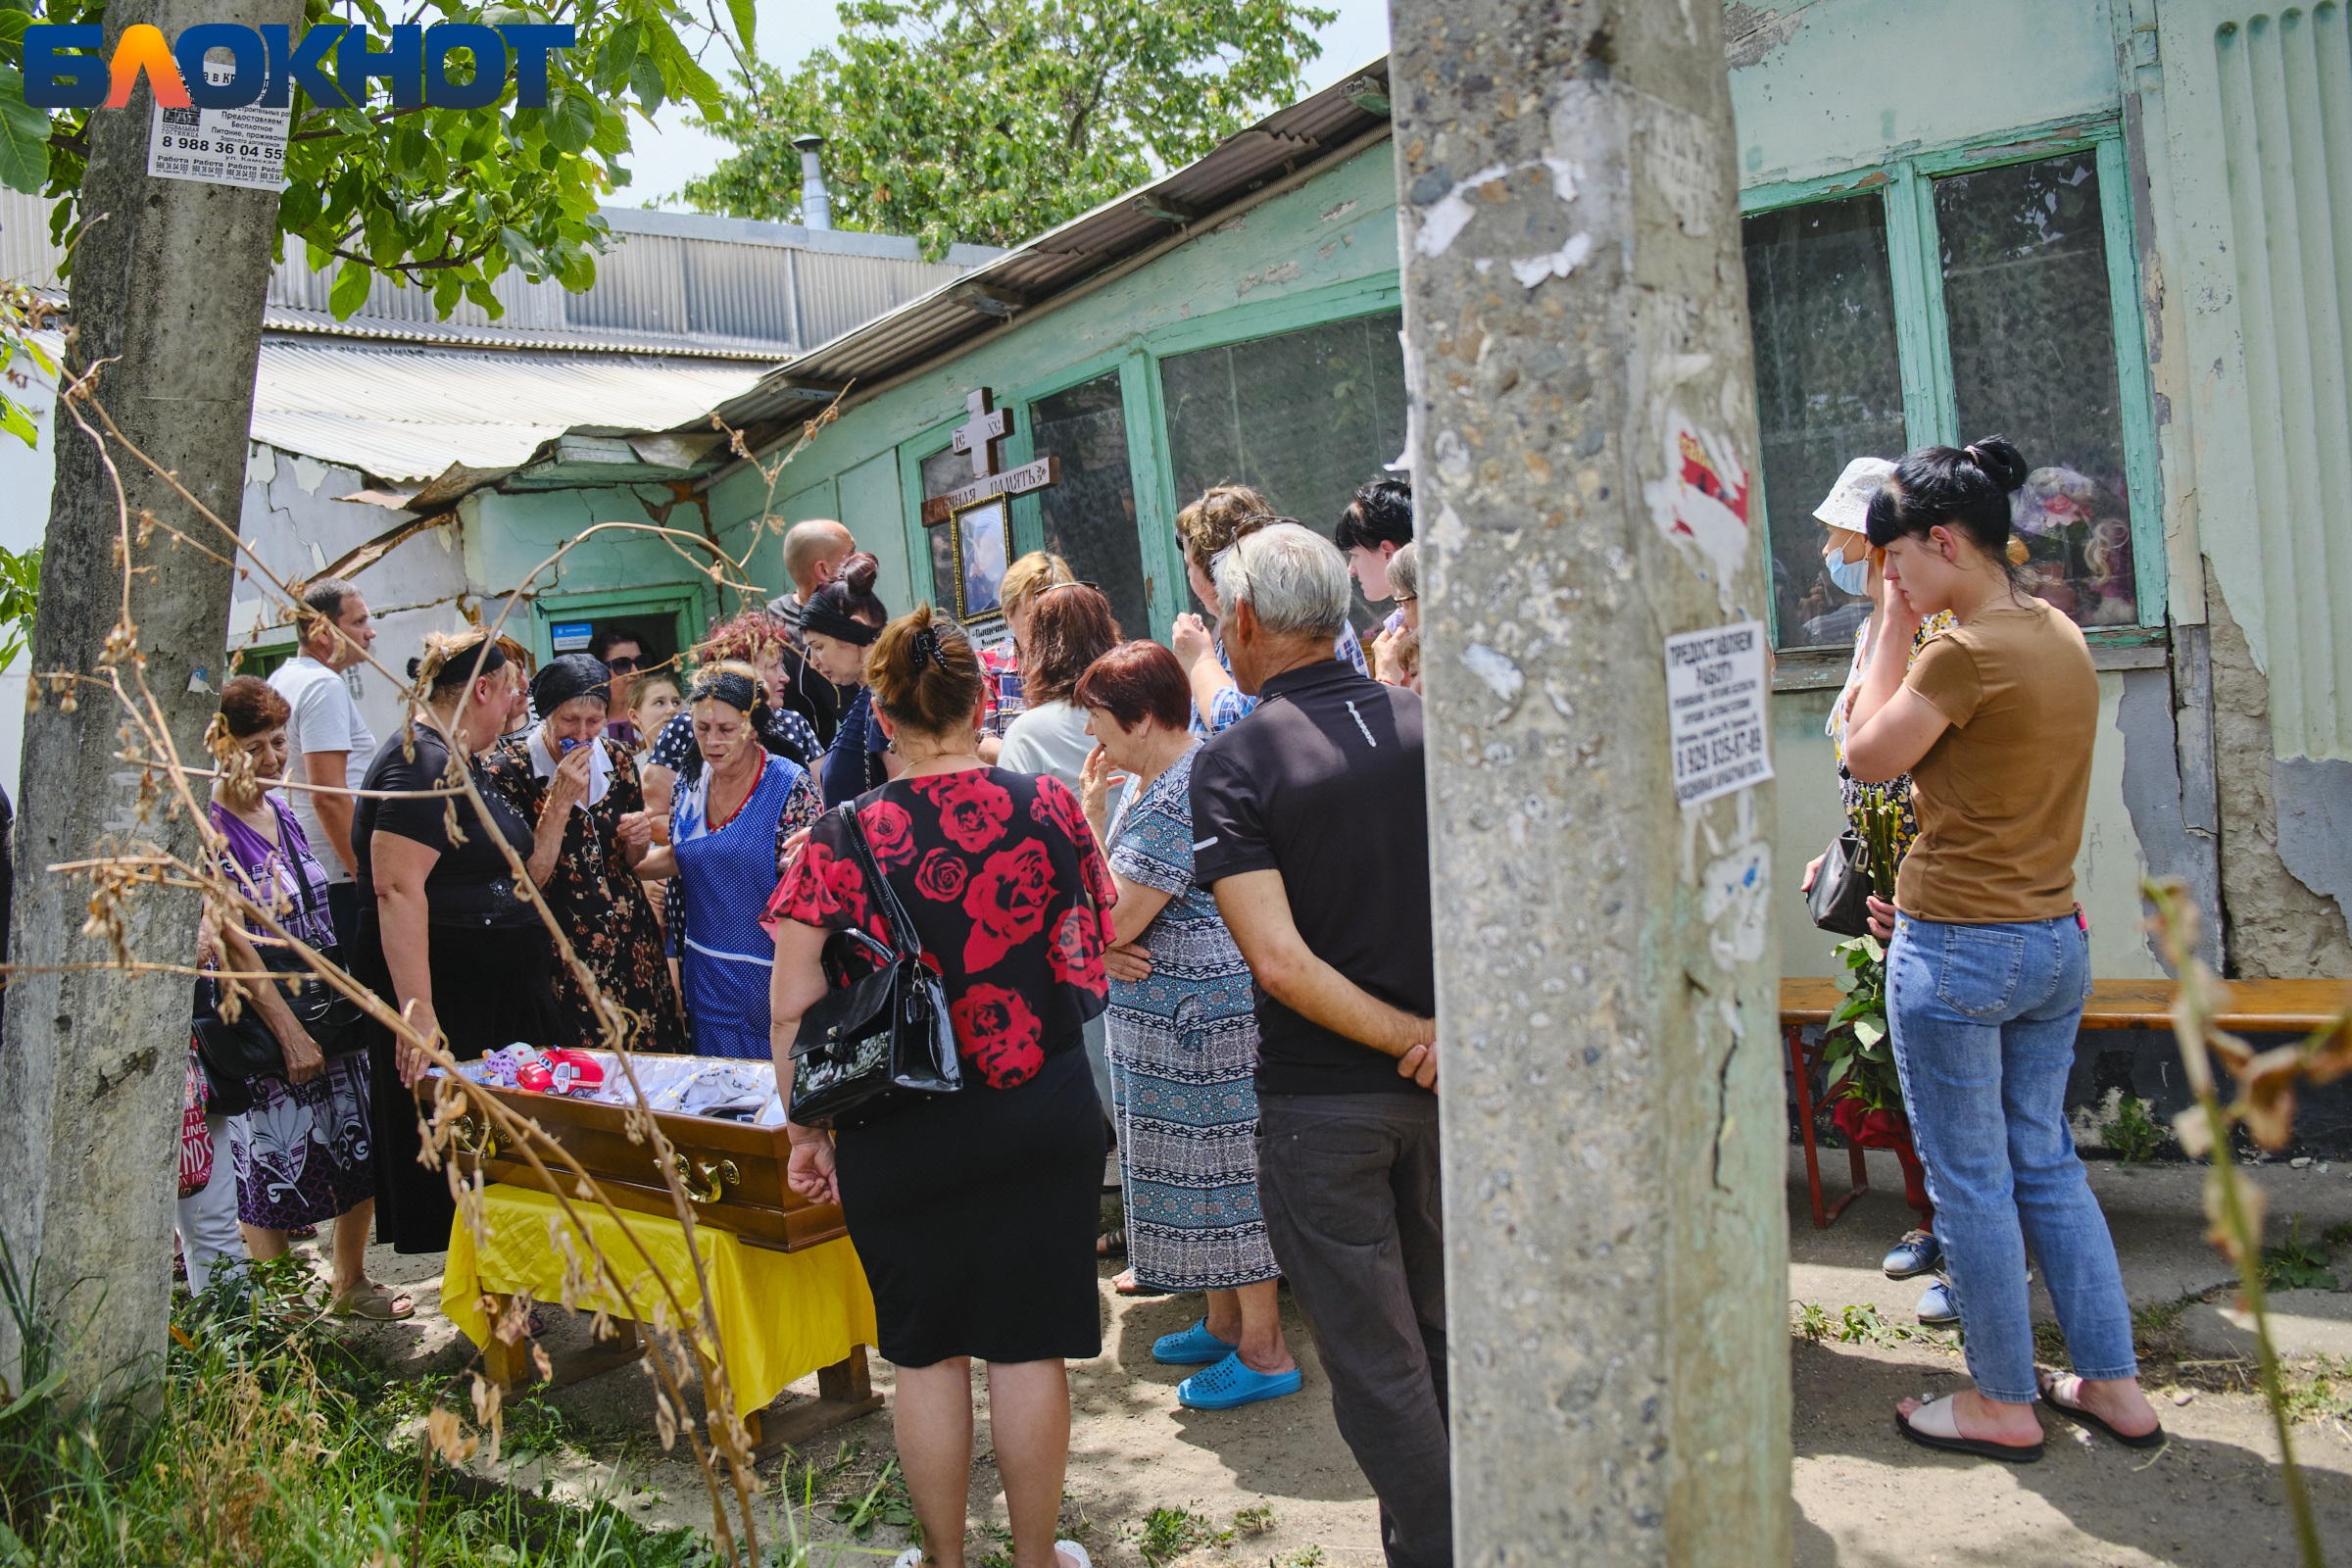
[[975, 1214]]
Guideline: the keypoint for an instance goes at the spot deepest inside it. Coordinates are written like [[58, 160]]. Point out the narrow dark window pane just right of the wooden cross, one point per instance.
[[1090, 516]]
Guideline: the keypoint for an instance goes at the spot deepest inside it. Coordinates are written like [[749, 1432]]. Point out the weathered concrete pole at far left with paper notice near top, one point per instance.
[[168, 288]]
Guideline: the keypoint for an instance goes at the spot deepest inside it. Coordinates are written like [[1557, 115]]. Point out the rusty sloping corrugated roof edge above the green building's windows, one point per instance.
[[1182, 206]]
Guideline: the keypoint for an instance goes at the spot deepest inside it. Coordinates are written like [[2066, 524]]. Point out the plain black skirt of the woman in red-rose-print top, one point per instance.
[[975, 1217]]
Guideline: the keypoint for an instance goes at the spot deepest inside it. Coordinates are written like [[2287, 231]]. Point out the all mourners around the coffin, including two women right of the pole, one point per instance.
[[1147, 883]]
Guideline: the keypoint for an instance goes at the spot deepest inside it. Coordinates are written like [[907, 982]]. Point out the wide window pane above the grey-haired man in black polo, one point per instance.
[[1304, 417]]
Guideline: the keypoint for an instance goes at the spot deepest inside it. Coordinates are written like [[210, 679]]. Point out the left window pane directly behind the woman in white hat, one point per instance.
[[1829, 389]]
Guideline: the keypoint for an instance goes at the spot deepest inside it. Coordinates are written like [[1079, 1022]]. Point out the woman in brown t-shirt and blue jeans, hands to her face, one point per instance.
[[1991, 963]]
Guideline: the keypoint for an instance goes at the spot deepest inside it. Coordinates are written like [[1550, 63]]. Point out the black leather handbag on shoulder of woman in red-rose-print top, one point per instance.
[[883, 1040]]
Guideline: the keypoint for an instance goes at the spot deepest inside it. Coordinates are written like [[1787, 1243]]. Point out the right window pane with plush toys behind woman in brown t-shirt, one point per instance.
[[2033, 359]]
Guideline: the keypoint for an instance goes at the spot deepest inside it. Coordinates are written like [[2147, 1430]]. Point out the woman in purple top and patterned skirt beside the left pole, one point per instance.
[[305, 1148]]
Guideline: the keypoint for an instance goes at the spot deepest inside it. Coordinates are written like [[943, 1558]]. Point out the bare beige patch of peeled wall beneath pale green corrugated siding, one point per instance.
[[2278, 927]]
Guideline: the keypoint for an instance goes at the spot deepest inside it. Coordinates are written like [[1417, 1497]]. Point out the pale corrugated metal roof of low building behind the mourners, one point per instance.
[[410, 413]]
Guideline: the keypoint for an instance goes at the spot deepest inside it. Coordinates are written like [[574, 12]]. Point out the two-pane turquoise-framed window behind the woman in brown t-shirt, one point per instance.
[[1939, 309]]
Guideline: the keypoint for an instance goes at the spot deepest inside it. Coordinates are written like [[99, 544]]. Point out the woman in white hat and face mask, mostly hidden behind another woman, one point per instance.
[[1852, 568]]
